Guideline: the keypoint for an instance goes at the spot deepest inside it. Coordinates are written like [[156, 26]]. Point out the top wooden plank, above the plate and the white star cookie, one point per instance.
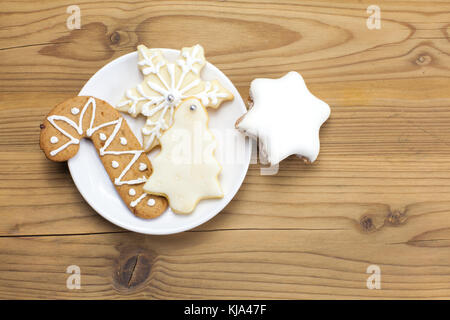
[[325, 41]]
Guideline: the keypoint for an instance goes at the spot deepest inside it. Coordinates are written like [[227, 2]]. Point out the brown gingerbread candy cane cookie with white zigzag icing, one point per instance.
[[120, 152]]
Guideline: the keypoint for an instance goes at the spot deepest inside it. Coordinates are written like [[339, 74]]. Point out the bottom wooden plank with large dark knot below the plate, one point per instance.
[[249, 264]]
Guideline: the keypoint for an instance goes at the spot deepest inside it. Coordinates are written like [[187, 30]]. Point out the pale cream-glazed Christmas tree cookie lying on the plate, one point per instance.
[[186, 171]]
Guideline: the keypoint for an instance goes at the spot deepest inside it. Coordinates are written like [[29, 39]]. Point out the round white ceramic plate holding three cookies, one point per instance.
[[233, 152]]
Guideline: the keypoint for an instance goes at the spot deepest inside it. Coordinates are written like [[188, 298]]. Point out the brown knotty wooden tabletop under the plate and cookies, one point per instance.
[[379, 193]]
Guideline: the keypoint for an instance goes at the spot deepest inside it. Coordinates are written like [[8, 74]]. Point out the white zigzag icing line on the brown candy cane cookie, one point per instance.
[[89, 132]]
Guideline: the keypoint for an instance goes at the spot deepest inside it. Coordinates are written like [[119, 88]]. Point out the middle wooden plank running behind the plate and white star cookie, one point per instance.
[[398, 159]]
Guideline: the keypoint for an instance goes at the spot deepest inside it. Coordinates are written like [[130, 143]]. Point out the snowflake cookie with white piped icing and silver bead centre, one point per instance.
[[165, 86]]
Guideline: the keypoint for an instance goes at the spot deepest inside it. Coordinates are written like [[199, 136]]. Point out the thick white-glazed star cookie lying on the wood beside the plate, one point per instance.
[[285, 117]]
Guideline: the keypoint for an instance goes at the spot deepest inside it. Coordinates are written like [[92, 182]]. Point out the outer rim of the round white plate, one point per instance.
[[203, 219]]
